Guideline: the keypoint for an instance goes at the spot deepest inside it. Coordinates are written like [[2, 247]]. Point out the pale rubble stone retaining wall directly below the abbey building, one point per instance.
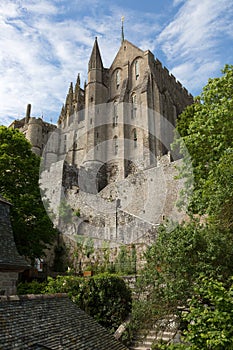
[[124, 212]]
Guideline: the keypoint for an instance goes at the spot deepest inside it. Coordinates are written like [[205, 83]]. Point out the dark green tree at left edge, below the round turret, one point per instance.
[[19, 183]]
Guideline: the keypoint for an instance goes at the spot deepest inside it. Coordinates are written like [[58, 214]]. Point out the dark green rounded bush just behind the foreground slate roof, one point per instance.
[[105, 297]]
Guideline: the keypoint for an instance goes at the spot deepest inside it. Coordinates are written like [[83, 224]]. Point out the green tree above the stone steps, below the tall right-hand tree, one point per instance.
[[174, 264]]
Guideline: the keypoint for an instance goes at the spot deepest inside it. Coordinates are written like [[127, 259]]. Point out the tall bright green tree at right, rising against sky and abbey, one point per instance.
[[206, 130]]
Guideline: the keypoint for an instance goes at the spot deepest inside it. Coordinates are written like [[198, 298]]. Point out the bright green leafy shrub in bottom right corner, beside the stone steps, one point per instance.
[[209, 318]]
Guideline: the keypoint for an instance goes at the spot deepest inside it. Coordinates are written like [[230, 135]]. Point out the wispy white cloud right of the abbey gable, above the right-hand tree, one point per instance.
[[194, 37]]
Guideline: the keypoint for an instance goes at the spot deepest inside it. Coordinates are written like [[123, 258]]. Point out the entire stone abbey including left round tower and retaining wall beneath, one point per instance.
[[112, 146]]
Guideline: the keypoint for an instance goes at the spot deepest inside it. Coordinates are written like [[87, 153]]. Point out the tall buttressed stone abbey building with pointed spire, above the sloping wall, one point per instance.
[[123, 118]]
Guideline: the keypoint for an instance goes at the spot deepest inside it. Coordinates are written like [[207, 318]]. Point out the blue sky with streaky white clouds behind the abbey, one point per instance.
[[45, 44]]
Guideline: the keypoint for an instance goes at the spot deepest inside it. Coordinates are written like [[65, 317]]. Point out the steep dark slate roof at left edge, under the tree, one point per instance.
[[9, 256]]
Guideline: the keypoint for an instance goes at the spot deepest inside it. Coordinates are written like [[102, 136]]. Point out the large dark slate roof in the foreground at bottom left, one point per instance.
[[51, 321]]
